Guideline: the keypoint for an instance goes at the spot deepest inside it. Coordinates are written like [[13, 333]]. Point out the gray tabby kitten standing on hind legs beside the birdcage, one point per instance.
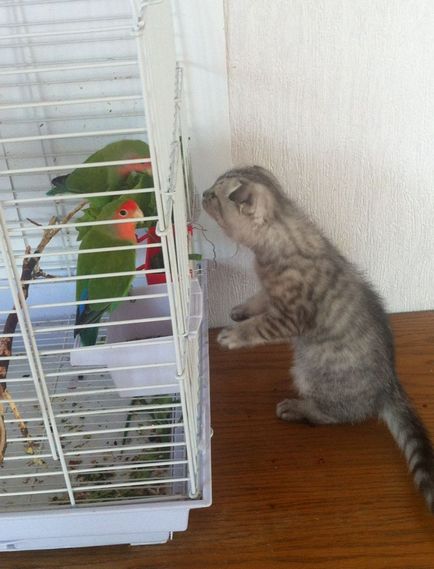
[[315, 299]]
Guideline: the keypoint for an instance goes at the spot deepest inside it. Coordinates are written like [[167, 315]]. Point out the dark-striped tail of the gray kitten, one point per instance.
[[413, 439]]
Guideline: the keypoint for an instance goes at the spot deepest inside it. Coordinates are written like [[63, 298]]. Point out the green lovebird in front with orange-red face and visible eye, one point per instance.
[[107, 235]]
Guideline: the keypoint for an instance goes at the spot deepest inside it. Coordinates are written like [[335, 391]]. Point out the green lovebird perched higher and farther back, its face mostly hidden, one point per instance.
[[107, 178]]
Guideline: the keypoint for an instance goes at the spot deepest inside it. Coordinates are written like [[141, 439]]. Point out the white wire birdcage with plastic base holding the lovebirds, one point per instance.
[[117, 449]]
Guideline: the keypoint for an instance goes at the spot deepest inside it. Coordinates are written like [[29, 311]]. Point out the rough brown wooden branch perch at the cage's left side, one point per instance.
[[30, 270]]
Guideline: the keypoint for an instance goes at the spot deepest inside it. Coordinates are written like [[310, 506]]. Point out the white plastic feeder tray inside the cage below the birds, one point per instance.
[[149, 343]]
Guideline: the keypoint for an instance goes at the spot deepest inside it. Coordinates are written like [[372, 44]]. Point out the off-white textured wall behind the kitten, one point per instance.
[[337, 98]]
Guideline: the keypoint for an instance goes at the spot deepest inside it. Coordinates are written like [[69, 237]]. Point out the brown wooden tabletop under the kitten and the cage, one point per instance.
[[292, 496]]
